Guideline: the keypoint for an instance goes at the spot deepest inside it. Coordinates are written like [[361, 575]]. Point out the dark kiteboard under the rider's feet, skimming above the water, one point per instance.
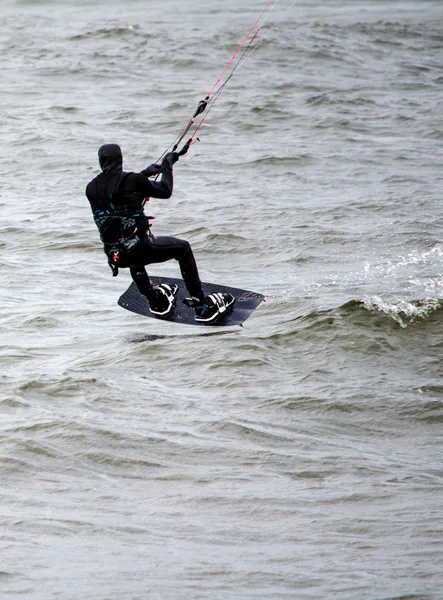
[[245, 303]]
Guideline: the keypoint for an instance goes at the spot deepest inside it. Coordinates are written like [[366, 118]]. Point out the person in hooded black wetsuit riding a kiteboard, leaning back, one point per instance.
[[117, 199]]
